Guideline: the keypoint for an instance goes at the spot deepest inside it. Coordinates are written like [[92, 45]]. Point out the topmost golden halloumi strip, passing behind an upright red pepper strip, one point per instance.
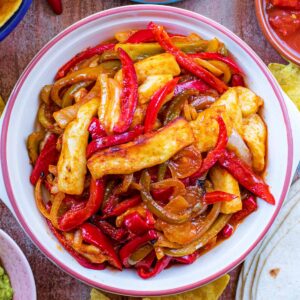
[[154, 65]]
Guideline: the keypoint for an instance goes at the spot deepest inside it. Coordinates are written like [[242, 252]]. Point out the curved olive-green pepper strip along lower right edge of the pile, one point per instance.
[[211, 233]]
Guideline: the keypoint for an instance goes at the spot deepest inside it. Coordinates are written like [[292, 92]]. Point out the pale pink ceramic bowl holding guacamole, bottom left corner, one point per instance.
[[17, 268]]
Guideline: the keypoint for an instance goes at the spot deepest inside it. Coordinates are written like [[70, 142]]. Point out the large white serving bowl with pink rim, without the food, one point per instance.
[[19, 121]]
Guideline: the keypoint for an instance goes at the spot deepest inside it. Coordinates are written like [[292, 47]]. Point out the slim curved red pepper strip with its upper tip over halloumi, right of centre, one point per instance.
[[213, 155]]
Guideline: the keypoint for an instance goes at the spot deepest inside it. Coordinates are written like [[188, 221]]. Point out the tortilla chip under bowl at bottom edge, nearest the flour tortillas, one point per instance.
[[211, 291]]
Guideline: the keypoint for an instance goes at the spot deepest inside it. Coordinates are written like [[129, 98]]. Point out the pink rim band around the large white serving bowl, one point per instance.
[[136, 8]]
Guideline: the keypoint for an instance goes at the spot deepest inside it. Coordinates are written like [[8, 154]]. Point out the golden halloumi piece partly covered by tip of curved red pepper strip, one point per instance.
[[206, 128]]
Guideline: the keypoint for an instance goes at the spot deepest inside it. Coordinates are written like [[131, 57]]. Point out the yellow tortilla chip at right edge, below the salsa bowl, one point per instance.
[[288, 76]]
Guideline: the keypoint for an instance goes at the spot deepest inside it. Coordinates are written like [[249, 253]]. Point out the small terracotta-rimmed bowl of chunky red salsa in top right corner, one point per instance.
[[280, 23]]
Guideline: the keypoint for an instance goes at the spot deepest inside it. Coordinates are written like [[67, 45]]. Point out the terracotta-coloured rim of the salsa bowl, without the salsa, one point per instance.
[[286, 51]]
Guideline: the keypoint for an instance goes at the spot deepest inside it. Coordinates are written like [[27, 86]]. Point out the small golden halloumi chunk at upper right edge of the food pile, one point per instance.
[[248, 101]]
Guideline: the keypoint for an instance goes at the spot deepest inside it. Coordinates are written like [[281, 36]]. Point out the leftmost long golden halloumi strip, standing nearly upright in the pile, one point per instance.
[[72, 161]]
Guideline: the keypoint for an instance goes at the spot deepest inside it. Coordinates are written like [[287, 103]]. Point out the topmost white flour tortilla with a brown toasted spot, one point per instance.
[[285, 257]]
